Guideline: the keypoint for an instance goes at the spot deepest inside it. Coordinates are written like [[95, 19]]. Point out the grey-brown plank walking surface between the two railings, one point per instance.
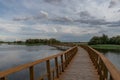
[[80, 68]]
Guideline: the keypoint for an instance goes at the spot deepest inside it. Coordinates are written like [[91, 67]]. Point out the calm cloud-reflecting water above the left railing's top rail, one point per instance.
[[14, 55]]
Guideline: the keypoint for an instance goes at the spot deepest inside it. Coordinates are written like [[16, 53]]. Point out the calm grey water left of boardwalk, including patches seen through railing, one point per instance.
[[14, 55]]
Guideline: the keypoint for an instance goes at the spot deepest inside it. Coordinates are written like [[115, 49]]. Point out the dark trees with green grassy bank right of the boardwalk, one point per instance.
[[103, 42]]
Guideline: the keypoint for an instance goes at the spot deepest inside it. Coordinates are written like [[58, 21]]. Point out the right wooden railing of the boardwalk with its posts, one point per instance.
[[105, 68]]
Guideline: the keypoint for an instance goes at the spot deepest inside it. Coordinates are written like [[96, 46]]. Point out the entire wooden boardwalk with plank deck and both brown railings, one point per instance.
[[77, 63]]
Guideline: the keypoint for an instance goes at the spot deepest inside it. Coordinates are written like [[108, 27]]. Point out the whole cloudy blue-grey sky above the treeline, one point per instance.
[[65, 20]]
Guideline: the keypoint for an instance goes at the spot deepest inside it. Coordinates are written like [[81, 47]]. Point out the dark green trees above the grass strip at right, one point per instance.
[[104, 39]]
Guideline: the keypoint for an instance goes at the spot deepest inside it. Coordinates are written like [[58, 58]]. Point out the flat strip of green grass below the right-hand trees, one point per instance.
[[106, 46]]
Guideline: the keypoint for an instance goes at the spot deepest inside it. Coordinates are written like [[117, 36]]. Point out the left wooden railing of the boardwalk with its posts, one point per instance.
[[65, 58]]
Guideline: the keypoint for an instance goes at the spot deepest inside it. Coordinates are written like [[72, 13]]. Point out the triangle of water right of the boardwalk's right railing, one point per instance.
[[113, 56]]
